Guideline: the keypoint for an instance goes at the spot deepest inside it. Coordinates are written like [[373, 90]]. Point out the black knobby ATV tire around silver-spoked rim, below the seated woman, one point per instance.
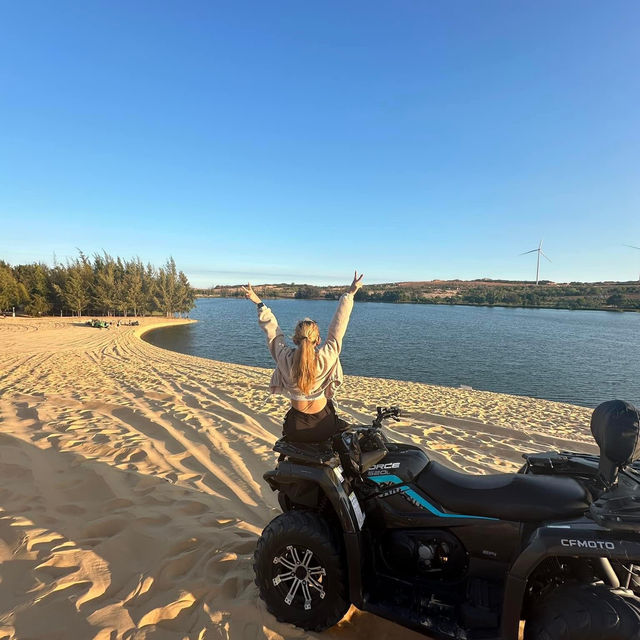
[[296, 534]]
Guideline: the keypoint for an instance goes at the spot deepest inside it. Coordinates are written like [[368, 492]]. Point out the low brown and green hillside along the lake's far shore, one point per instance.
[[614, 296]]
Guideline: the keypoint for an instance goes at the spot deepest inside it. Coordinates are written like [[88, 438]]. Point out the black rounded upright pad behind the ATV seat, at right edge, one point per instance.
[[615, 425]]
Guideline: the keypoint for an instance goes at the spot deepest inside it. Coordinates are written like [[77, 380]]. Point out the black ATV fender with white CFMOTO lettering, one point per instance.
[[582, 539]]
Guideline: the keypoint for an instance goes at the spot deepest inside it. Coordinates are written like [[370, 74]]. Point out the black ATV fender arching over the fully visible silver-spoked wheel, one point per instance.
[[306, 484]]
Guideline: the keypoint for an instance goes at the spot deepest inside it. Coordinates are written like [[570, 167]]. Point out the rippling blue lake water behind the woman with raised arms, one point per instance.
[[581, 357]]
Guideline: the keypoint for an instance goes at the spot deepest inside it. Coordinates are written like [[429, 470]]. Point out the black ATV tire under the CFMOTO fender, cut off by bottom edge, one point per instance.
[[585, 612]]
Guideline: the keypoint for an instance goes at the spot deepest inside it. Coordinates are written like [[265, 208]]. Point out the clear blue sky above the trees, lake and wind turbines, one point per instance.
[[295, 141]]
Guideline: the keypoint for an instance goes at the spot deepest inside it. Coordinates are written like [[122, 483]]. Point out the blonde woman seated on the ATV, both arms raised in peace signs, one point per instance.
[[308, 374]]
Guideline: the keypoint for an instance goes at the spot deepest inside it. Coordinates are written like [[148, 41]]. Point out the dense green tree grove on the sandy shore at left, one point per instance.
[[103, 285]]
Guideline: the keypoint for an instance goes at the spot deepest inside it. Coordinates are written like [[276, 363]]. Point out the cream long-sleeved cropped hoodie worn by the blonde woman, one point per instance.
[[329, 374]]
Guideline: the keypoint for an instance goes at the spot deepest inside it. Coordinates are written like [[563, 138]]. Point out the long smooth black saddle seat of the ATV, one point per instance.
[[506, 496]]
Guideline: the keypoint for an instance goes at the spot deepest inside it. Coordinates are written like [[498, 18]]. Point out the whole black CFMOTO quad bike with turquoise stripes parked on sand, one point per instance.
[[379, 525]]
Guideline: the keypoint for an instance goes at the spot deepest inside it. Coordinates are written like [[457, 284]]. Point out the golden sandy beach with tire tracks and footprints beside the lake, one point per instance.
[[131, 492]]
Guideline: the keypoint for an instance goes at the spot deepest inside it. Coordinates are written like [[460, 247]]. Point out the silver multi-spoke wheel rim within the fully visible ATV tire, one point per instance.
[[299, 577]]
